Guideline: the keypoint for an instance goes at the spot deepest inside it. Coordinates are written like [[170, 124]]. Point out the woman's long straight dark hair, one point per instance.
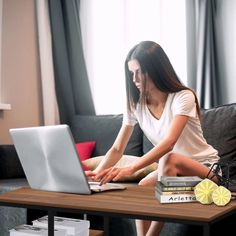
[[153, 61]]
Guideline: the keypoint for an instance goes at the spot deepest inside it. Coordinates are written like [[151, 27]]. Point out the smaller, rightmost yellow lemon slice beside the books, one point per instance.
[[221, 196]]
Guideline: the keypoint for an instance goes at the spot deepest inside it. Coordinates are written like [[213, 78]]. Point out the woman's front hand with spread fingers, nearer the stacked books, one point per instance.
[[114, 174]]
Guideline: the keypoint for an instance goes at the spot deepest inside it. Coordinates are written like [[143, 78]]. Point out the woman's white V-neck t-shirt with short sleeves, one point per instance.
[[191, 142]]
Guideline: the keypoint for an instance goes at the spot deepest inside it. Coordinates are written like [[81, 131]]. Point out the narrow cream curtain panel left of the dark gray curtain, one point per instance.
[[50, 108]]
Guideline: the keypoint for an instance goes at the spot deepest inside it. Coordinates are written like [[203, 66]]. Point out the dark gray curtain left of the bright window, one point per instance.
[[71, 80]]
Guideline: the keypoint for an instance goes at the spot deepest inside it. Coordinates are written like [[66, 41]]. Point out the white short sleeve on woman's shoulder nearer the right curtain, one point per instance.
[[184, 104]]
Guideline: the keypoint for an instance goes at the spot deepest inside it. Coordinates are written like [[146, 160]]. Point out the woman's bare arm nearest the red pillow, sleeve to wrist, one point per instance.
[[116, 151]]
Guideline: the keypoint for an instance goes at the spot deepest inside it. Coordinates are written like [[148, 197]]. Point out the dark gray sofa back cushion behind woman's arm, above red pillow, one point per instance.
[[104, 129]]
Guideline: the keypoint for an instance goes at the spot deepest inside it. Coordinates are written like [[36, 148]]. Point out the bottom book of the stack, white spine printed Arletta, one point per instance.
[[175, 198]]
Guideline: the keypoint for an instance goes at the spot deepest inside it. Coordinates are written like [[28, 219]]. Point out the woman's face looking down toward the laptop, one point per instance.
[[135, 69]]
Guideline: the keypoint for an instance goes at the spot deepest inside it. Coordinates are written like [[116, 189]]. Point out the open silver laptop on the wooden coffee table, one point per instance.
[[51, 162]]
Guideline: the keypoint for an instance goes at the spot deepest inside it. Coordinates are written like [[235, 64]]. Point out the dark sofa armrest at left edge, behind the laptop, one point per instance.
[[10, 166]]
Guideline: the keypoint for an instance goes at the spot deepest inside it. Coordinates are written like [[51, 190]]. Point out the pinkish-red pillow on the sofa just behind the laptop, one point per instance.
[[85, 150]]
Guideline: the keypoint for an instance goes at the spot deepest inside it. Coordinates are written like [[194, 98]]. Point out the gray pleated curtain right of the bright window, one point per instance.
[[202, 48]]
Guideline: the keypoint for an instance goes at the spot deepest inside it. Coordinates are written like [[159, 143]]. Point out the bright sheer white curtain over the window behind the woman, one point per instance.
[[111, 28]]
